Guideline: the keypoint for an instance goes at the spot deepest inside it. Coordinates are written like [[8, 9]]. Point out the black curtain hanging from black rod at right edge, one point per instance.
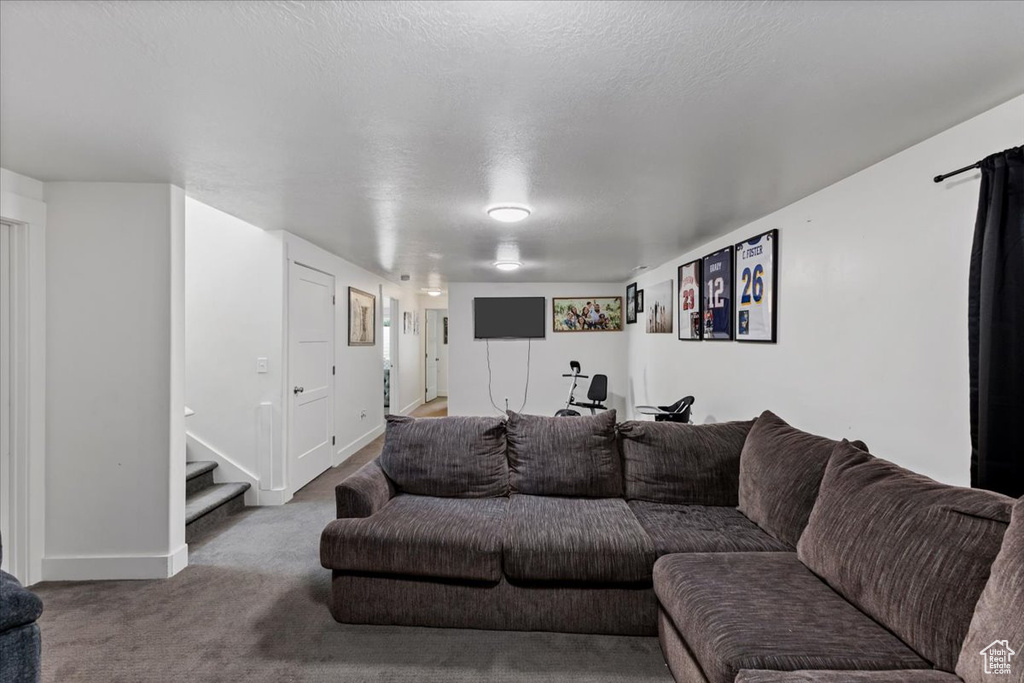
[[996, 326]]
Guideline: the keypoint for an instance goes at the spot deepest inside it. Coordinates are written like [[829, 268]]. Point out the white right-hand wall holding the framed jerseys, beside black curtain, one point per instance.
[[873, 340]]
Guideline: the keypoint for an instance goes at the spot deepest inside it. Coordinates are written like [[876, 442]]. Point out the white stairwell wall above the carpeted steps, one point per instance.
[[235, 289]]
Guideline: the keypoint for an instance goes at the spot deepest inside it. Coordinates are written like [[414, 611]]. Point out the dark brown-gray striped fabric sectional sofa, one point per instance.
[[757, 552]]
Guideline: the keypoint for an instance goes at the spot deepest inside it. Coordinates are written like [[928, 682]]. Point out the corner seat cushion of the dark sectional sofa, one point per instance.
[[702, 529]]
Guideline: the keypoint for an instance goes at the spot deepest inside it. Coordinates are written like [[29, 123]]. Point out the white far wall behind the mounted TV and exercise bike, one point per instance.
[[599, 353]]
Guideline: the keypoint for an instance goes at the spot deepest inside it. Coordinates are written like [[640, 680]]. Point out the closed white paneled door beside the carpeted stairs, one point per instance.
[[311, 369]]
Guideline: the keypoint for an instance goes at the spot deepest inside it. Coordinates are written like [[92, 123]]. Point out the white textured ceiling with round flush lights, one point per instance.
[[381, 132]]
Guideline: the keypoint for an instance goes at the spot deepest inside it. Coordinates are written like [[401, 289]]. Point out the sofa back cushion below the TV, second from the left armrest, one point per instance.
[[565, 456]]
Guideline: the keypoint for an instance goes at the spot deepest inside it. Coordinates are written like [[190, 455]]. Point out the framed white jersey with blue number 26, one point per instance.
[[756, 287]]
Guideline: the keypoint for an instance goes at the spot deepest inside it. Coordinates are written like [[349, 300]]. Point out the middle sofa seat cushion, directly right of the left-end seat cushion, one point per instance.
[[576, 539]]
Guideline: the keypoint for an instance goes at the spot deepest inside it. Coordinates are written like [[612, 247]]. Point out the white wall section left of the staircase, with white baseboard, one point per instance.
[[115, 468]]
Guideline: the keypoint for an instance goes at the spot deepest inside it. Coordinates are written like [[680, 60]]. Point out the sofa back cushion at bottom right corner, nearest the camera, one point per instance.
[[999, 617]]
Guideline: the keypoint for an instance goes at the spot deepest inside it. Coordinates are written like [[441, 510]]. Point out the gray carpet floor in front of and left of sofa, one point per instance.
[[252, 607]]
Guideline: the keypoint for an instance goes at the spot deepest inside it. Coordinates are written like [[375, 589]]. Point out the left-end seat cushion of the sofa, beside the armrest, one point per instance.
[[420, 536]]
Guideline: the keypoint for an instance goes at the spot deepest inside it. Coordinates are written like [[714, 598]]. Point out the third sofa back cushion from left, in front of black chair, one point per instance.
[[668, 462]]
